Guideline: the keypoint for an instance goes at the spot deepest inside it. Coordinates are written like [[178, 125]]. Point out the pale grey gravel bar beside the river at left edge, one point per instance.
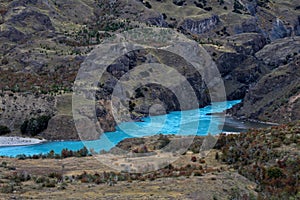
[[18, 141]]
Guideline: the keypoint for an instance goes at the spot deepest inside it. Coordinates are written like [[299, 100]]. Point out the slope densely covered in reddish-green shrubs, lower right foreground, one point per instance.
[[269, 157]]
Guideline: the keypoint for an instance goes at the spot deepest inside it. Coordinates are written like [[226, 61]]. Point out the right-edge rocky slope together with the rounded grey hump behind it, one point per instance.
[[276, 96]]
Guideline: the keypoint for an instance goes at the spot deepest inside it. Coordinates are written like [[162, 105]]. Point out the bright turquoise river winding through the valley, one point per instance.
[[192, 122]]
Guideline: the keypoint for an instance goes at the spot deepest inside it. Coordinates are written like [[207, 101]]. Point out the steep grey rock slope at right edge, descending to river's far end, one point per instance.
[[275, 98]]
